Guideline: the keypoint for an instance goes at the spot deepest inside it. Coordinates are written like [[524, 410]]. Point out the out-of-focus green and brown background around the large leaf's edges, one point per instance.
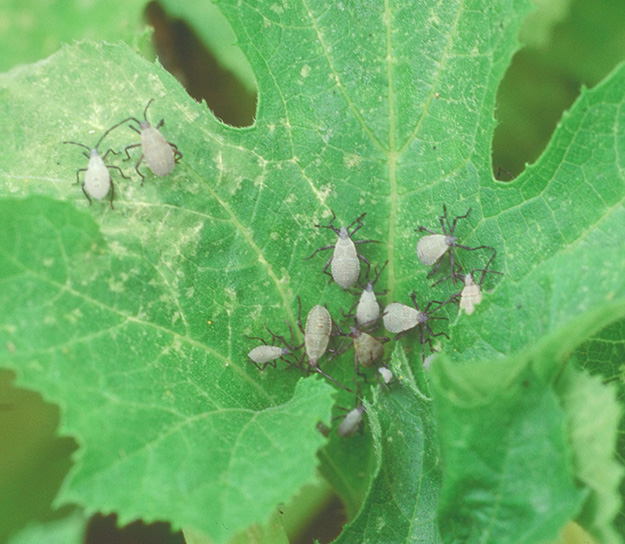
[[567, 44]]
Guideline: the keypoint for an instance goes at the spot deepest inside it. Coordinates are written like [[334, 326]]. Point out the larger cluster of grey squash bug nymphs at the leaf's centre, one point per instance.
[[364, 316]]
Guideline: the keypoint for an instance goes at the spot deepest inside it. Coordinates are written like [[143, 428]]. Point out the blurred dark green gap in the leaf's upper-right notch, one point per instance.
[[579, 46]]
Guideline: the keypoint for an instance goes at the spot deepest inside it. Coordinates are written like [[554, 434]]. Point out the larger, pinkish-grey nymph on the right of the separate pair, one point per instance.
[[160, 154]]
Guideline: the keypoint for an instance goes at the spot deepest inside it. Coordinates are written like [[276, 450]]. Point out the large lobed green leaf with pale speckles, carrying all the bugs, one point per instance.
[[133, 319]]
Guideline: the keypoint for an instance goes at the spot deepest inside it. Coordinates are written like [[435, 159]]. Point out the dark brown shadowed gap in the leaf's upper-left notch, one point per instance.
[[183, 54]]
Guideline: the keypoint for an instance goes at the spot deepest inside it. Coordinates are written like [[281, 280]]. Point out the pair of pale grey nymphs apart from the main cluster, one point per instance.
[[159, 154]]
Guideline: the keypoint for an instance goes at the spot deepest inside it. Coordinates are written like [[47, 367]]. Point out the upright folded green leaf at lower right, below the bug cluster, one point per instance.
[[507, 469]]
